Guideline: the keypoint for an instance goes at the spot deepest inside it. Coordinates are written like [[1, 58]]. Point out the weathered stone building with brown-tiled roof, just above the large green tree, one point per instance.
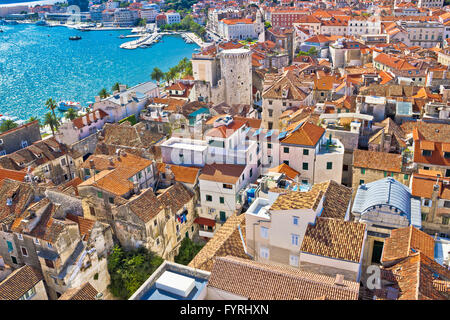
[[157, 222]]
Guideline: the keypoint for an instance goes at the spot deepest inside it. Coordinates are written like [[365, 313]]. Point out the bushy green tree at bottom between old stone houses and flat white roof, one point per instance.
[[130, 269]]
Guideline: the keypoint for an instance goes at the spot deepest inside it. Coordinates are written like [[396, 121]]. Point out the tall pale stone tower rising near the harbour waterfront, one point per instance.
[[236, 70]]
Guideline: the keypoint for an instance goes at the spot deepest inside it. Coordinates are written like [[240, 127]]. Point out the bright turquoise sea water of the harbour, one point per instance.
[[40, 62]]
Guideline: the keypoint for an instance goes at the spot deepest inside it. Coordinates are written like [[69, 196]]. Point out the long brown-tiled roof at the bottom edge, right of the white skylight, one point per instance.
[[258, 281]]
